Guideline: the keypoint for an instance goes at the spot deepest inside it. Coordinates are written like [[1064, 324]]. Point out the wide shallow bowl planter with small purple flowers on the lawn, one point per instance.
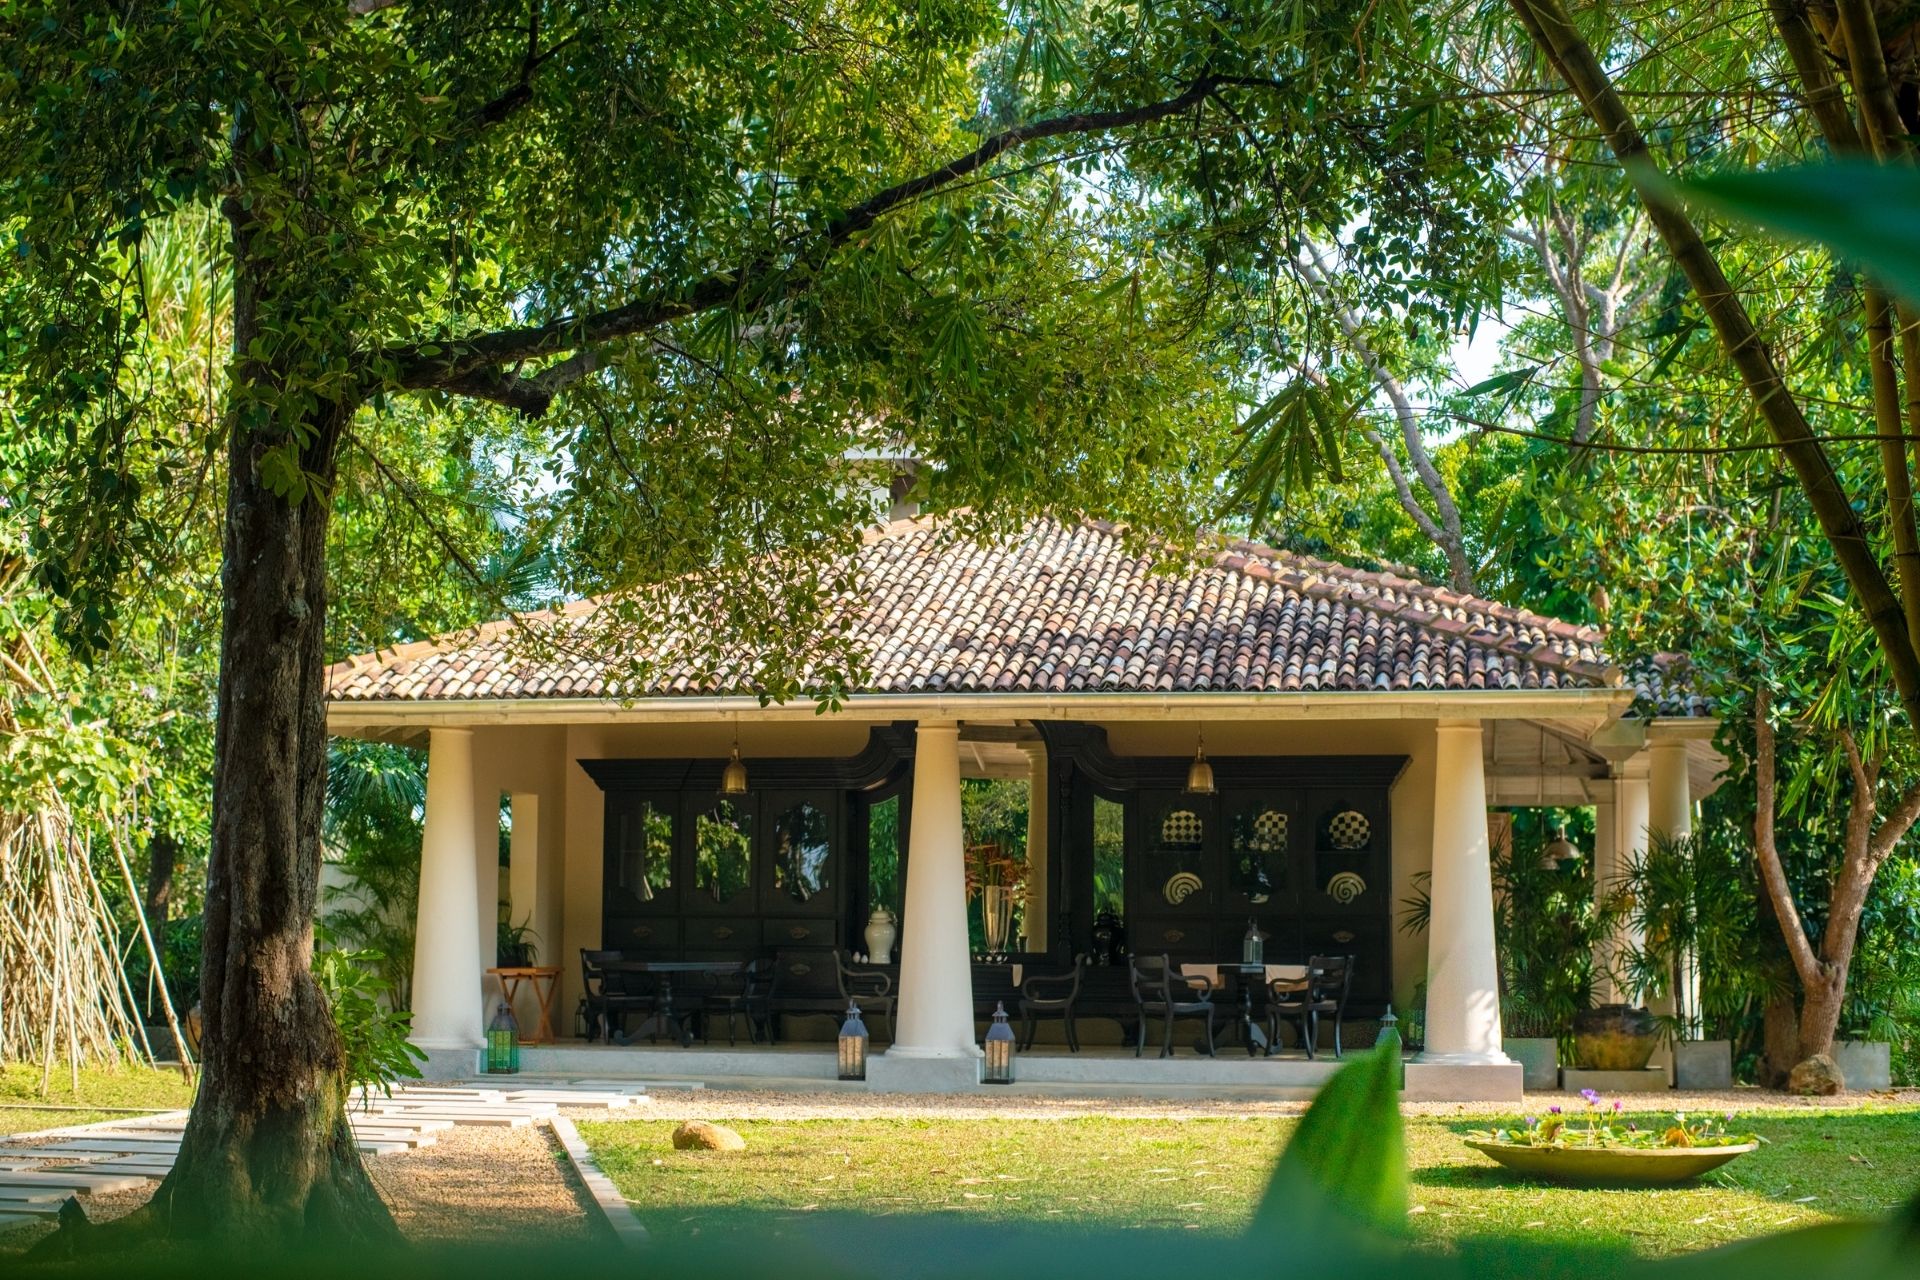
[[1604, 1147]]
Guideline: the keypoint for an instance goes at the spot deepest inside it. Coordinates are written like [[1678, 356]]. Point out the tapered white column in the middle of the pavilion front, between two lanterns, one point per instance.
[[936, 970]]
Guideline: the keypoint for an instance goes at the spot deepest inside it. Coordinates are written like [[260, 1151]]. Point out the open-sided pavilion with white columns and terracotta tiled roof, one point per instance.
[[1360, 728]]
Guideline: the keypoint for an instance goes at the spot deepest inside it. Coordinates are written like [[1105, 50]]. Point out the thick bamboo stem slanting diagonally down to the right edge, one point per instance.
[[1556, 36]]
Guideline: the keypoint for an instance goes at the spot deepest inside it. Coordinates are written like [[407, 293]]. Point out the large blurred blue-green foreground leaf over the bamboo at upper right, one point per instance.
[[1865, 212]]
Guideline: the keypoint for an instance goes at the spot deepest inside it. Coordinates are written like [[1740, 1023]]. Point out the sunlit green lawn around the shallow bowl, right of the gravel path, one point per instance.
[[1209, 1173]]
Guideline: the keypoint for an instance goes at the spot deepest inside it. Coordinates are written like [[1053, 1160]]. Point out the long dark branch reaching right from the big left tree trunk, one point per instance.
[[469, 366]]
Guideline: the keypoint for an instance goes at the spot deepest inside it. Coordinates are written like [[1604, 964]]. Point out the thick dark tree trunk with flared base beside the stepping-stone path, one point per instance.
[[268, 1154]]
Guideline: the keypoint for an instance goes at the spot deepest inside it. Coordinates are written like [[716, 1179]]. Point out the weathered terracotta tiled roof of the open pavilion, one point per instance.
[[1068, 609]]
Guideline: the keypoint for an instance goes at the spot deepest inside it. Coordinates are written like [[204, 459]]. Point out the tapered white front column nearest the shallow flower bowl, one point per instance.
[[1462, 972]]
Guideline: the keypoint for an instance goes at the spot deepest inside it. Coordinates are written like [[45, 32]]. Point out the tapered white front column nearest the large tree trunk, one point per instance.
[[446, 985]]
